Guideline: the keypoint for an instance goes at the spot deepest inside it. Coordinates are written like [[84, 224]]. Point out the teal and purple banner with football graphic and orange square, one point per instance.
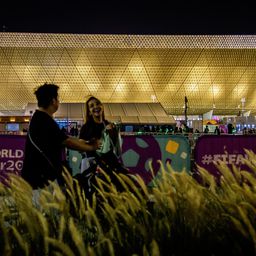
[[139, 150]]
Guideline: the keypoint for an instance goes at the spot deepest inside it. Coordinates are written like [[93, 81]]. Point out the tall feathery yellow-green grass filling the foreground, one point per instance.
[[177, 216]]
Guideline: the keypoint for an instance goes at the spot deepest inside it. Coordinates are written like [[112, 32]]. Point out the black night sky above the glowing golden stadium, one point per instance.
[[128, 17]]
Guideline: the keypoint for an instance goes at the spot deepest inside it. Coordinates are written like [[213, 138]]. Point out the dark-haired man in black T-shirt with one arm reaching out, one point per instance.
[[45, 141]]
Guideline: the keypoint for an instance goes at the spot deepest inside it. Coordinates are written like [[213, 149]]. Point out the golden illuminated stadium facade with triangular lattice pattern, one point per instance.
[[212, 71]]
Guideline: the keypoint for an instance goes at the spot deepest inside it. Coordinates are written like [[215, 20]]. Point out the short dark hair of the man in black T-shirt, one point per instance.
[[45, 94]]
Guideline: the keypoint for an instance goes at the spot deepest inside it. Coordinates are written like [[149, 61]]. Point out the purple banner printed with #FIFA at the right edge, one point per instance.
[[227, 148]]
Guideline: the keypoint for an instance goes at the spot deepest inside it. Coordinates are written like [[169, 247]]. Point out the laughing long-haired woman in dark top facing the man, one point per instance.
[[97, 127]]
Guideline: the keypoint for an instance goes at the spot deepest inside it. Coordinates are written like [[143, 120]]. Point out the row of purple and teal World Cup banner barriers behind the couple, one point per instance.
[[139, 150]]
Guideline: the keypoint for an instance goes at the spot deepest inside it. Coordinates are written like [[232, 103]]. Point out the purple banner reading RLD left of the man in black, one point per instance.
[[11, 154]]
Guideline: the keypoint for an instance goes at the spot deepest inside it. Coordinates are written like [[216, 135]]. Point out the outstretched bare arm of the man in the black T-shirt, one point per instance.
[[81, 145]]
